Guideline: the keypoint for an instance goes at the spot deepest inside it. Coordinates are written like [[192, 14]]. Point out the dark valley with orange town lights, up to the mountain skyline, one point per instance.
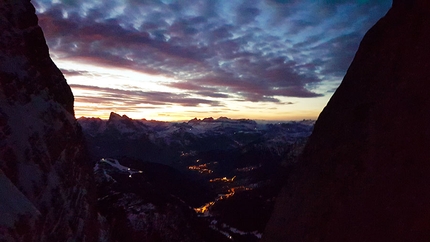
[[212, 179]]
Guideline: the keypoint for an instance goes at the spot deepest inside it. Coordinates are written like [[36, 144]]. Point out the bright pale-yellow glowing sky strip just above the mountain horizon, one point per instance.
[[123, 92]]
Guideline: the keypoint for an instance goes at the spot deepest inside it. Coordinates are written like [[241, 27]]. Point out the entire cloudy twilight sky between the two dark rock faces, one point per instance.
[[180, 59]]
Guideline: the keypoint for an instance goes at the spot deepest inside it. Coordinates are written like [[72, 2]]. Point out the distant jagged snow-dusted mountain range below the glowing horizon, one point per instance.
[[144, 139]]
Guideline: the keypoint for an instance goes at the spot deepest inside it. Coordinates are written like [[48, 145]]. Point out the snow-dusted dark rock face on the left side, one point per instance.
[[45, 183]]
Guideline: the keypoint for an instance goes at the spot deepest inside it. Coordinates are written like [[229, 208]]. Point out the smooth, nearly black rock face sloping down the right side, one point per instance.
[[364, 174]]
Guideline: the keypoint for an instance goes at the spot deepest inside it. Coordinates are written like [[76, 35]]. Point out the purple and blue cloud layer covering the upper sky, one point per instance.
[[215, 49]]
